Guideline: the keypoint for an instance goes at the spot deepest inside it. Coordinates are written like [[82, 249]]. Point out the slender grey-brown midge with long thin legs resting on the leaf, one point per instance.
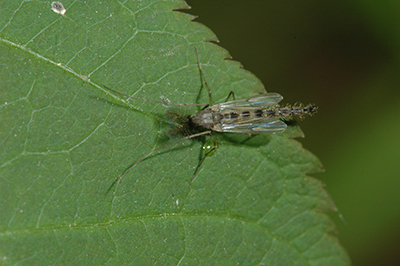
[[258, 114]]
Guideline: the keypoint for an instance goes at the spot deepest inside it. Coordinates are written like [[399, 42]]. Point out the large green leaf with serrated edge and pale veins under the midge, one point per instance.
[[65, 139]]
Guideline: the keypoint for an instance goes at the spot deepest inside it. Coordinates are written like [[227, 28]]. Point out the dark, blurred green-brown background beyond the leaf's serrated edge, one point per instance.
[[343, 56]]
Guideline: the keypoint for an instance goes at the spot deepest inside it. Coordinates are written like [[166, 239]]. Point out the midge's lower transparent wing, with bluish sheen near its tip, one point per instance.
[[263, 125]]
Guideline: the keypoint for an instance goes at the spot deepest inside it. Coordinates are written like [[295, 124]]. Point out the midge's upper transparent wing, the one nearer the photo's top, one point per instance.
[[261, 101]]
